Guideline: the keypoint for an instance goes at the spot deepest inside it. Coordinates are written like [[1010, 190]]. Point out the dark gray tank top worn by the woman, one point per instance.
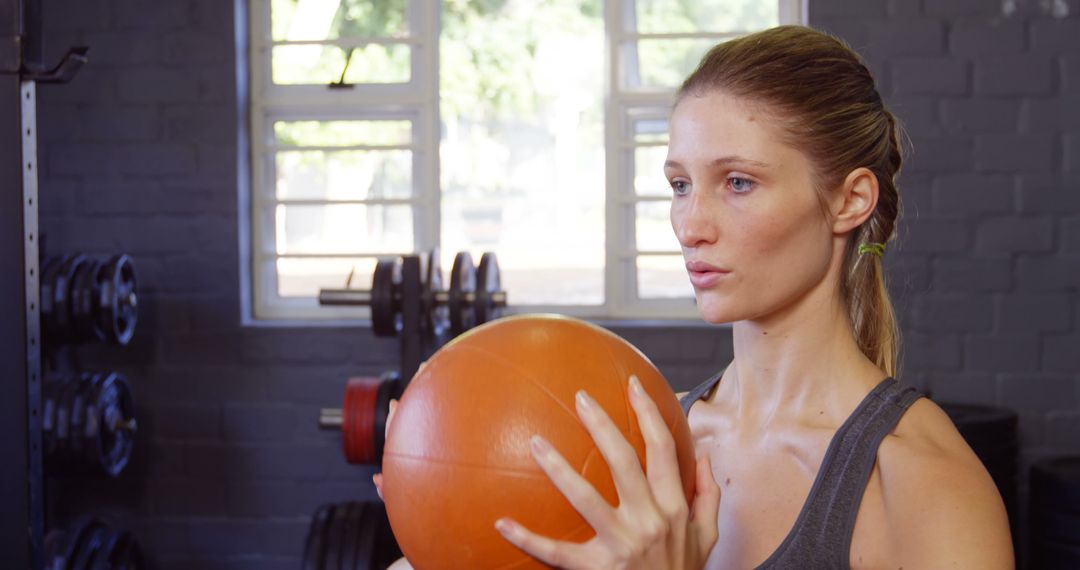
[[821, 537]]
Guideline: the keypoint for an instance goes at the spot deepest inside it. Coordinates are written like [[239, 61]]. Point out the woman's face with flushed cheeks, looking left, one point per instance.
[[745, 210]]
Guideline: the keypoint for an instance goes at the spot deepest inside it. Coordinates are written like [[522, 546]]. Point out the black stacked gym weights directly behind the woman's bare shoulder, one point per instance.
[[992, 435]]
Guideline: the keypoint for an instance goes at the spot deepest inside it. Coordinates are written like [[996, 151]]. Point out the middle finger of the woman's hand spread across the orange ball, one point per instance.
[[627, 471]]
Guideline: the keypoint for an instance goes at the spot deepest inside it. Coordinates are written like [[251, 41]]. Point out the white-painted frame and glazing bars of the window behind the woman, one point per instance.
[[417, 101]]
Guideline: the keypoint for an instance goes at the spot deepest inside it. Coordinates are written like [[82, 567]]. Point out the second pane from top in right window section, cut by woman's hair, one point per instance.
[[663, 63]]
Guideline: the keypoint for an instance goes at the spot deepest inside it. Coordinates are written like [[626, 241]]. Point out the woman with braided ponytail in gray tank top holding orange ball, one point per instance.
[[782, 162]]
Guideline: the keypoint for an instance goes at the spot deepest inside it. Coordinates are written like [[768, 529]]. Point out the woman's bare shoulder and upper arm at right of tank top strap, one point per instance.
[[942, 506]]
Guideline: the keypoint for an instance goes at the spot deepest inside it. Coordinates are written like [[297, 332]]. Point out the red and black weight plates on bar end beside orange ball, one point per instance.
[[362, 417]]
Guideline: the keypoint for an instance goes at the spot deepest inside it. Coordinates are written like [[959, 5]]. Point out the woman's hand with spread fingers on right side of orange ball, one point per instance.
[[653, 528]]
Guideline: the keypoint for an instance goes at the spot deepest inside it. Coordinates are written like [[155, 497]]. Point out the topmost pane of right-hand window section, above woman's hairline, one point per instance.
[[671, 17]]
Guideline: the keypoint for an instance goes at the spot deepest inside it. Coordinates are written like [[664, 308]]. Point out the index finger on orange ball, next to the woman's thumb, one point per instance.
[[663, 468]]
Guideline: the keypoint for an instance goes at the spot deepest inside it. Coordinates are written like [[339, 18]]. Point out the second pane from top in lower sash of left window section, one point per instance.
[[345, 175]]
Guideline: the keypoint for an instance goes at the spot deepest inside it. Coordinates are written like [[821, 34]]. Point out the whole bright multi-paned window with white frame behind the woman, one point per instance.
[[535, 129]]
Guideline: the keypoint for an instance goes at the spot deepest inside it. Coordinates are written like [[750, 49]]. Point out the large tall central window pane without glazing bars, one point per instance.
[[522, 156]]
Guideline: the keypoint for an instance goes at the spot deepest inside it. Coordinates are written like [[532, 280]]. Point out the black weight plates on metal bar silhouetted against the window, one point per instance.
[[475, 296]]
